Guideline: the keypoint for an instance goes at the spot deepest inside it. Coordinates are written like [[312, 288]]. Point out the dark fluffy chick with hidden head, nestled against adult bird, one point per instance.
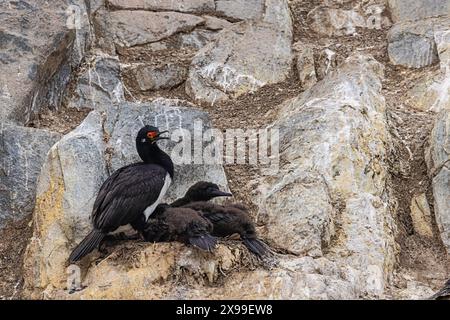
[[180, 224]]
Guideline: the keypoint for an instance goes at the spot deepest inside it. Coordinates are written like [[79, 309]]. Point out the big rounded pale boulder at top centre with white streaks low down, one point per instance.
[[240, 60]]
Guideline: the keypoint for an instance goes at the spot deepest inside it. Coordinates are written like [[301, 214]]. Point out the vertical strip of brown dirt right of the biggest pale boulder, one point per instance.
[[423, 258]]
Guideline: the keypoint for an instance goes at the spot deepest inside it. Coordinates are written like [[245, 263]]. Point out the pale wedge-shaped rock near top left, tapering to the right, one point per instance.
[[131, 28]]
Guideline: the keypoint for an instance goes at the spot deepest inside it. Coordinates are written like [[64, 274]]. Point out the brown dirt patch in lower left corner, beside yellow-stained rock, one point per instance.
[[15, 236]]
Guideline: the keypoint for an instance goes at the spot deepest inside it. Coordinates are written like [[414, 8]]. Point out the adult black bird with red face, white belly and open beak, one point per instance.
[[131, 194]]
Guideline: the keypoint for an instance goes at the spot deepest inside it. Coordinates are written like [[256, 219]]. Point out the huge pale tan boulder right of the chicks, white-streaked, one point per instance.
[[328, 198]]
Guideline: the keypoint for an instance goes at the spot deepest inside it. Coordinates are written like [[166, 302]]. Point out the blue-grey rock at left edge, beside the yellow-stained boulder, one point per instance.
[[23, 151]]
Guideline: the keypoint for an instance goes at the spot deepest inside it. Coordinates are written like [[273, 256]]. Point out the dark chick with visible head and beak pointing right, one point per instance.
[[226, 219]]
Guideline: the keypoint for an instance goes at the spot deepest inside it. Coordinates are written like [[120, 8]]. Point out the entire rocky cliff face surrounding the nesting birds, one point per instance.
[[356, 205]]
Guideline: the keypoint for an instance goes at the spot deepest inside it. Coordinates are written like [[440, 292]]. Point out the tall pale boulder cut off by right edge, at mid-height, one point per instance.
[[439, 169]]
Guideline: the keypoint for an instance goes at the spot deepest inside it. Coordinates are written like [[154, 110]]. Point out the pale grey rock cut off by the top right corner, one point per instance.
[[411, 10]]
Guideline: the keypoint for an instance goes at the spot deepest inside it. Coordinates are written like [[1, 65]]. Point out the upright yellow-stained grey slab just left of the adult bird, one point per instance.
[[73, 172]]
